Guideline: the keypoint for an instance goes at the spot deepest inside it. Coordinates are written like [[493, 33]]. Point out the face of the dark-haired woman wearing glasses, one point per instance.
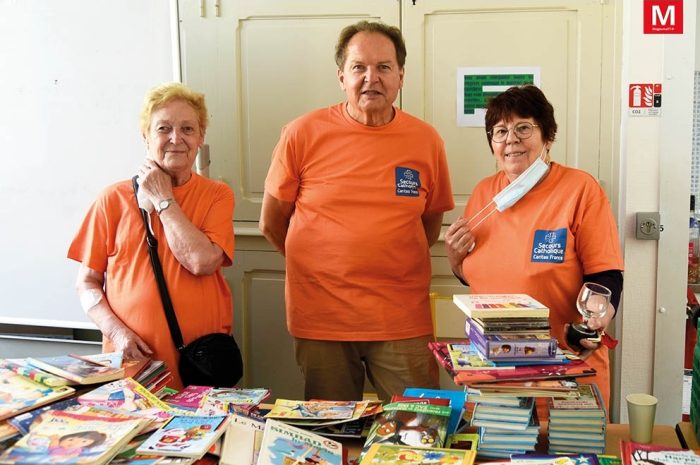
[[516, 153]]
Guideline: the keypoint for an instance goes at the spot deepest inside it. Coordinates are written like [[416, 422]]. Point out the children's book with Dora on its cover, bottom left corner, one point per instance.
[[71, 438]]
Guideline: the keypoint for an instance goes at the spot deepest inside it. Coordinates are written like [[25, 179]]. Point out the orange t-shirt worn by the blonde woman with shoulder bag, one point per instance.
[[111, 240]]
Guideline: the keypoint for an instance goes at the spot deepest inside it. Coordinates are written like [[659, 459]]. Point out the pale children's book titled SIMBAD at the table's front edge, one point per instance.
[[284, 444]]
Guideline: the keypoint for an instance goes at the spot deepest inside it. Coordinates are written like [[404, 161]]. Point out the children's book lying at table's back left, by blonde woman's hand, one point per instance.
[[76, 368]]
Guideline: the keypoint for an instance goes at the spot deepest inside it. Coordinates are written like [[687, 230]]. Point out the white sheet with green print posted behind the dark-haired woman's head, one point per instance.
[[476, 85]]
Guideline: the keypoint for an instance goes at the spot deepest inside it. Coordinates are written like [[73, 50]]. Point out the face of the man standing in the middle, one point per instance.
[[371, 78]]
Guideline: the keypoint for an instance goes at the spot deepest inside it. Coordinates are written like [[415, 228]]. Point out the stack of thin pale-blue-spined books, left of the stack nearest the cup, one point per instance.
[[507, 425]]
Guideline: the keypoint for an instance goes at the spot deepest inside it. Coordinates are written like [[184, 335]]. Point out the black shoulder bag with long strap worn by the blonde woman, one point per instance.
[[211, 360]]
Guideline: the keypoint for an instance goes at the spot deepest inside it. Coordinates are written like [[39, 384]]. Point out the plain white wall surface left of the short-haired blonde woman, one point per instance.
[[73, 76]]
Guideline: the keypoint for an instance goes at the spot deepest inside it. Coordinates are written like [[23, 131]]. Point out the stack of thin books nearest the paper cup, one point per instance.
[[577, 424]]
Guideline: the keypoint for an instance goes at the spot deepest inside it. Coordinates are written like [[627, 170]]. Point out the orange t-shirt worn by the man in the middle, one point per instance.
[[358, 262]]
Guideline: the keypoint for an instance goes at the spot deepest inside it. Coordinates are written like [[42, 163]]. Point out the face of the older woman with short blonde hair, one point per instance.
[[174, 137]]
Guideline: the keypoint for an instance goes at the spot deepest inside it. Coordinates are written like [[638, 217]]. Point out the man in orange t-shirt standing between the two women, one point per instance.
[[354, 198]]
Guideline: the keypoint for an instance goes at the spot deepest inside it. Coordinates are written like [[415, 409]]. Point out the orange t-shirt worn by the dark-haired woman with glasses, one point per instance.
[[543, 245]]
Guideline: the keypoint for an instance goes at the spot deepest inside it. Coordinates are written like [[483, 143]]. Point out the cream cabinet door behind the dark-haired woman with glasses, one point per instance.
[[564, 39]]
